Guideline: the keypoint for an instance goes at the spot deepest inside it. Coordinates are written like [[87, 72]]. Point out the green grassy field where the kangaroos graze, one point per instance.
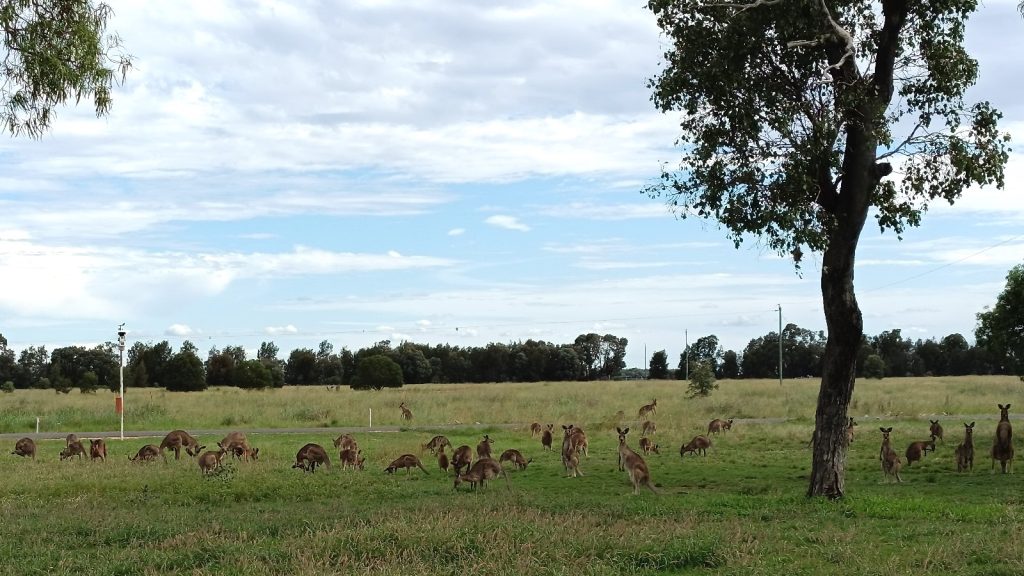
[[740, 511]]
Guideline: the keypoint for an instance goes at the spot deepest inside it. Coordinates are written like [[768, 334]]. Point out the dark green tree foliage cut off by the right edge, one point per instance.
[[1001, 330]]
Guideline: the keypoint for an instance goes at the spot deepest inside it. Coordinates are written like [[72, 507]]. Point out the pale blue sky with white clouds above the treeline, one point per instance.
[[451, 173]]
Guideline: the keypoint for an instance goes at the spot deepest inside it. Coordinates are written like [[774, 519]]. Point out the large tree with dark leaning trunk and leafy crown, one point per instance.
[[795, 116]]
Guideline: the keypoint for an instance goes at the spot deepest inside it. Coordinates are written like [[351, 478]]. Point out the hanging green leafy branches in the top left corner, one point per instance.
[[54, 52]]
